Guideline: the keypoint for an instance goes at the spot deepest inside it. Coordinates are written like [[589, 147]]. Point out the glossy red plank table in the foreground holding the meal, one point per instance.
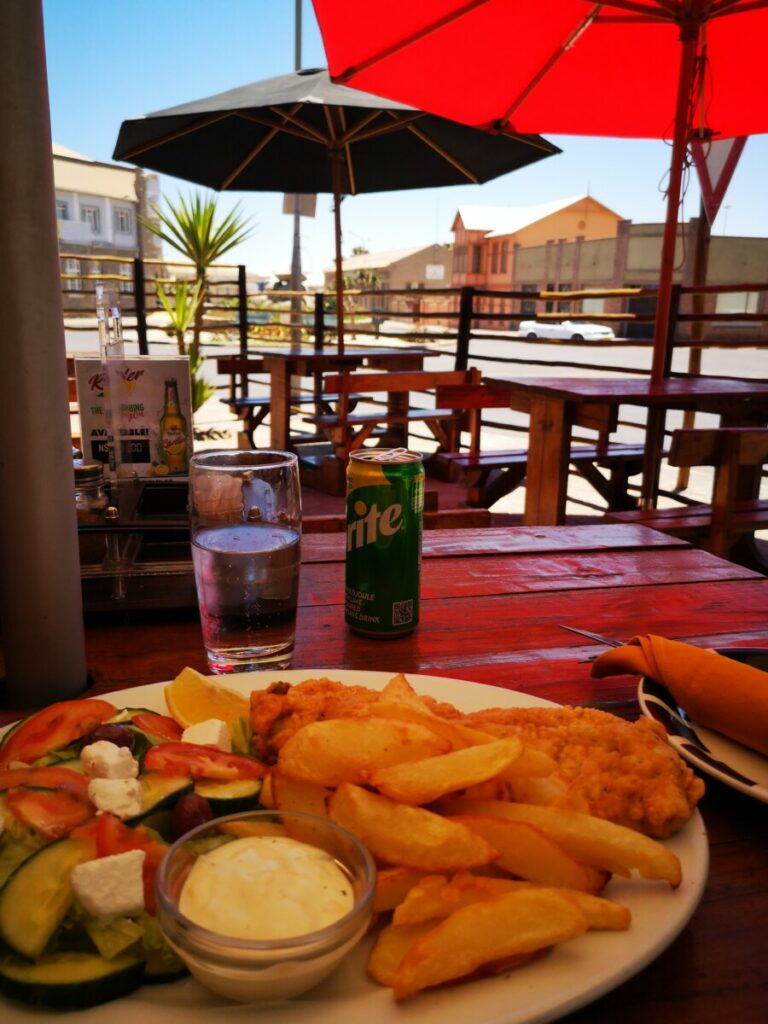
[[492, 603]]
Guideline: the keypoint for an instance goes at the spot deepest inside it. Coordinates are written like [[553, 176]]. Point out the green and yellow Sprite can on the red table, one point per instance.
[[386, 508]]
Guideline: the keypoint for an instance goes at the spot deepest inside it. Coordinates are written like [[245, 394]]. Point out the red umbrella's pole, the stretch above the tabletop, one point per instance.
[[690, 39]]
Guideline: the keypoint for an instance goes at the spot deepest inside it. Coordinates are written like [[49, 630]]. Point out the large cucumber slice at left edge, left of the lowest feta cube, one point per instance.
[[38, 894]]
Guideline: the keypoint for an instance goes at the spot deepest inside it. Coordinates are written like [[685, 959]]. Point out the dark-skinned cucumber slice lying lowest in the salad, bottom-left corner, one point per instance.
[[70, 982]]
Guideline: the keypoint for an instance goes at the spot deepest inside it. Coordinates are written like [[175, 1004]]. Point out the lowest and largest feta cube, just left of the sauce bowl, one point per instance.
[[111, 886]]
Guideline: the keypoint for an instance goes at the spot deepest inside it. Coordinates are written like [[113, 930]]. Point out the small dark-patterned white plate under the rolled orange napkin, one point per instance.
[[710, 752]]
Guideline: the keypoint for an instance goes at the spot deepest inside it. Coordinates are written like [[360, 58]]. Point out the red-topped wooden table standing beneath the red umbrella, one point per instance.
[[557, 404]]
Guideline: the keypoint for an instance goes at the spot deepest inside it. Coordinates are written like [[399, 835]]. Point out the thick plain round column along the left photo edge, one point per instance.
[[41, 613]]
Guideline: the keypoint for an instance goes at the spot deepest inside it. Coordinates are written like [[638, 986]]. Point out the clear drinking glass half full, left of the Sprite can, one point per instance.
[[245, 510]]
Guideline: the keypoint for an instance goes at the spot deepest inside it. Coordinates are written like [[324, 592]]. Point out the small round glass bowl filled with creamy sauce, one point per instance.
[[266, 905]]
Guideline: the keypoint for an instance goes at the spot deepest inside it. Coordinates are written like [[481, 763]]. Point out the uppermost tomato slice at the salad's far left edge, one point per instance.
[[53, 729]]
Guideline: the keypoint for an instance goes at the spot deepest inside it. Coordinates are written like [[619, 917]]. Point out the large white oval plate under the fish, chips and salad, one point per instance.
[[568, 978]]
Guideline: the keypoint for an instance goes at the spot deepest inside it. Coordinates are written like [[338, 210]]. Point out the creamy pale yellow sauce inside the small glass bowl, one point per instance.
[[266, 887]]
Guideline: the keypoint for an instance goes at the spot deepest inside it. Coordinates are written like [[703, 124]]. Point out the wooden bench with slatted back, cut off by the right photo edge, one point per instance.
[[721, 525]]
